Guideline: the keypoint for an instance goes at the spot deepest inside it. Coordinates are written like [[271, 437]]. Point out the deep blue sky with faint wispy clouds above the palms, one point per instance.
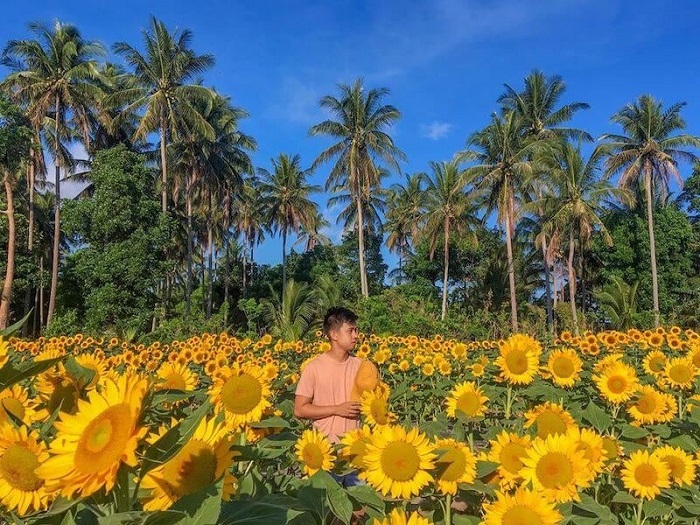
[[444, 61]]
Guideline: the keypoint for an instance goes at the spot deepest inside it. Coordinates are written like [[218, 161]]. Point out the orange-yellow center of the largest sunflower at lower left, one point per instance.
[[104, 440]]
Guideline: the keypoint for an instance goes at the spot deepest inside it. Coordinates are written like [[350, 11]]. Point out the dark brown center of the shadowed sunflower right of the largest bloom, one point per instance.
[[193, 469]]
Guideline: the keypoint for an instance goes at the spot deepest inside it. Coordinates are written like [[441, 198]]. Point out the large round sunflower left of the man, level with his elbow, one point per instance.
[[242, 393]]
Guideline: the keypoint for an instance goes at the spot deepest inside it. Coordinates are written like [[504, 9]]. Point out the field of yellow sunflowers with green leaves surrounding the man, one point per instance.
[[601, 428]]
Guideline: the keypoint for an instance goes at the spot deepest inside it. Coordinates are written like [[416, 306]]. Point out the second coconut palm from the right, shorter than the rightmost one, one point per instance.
[[575, 206]]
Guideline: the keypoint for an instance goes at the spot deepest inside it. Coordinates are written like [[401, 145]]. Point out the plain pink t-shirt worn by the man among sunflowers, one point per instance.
[[328, 382]]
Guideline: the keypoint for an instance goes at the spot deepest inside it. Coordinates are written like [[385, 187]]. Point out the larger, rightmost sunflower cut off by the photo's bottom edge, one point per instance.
[[524, 507]]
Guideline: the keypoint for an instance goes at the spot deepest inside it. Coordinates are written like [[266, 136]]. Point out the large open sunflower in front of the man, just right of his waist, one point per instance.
[[397, 462]]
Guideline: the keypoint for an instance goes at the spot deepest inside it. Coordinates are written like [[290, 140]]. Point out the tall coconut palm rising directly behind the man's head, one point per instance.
[[359, 125]]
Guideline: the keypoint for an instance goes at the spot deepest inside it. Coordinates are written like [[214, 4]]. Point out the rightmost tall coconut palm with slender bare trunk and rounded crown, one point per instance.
[[647, 154]]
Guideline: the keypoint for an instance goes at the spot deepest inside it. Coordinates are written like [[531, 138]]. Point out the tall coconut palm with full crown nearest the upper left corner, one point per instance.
[[55, 75]]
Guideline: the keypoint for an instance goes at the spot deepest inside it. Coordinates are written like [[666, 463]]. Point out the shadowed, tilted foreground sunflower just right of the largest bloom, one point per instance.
[[203, 460]]
